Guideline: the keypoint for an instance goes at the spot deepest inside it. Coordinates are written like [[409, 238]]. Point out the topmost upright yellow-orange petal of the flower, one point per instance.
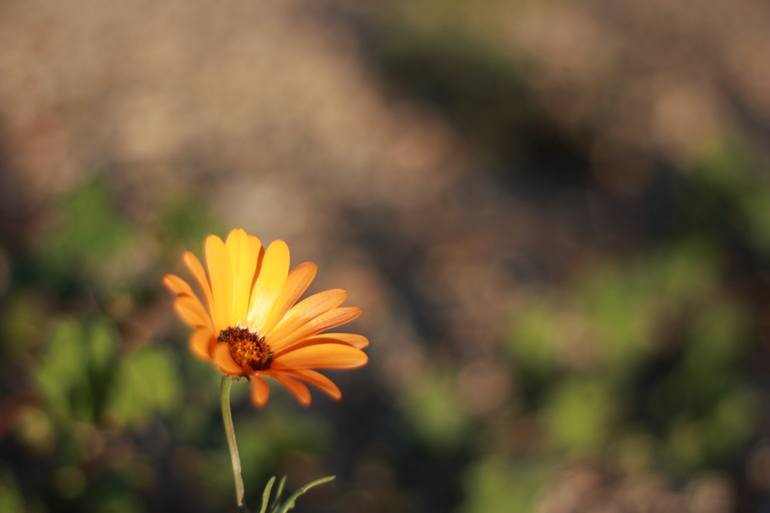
[[243, 252]]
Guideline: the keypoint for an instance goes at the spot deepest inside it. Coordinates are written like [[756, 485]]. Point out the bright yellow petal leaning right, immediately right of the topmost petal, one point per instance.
[[269, 284]]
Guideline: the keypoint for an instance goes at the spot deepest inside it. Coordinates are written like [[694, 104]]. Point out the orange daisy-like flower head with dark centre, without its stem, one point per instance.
[[254, 325]]
